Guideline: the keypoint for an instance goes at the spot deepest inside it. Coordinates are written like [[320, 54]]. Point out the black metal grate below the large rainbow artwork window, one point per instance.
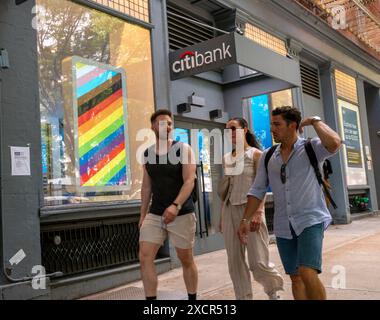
[[77, 248]]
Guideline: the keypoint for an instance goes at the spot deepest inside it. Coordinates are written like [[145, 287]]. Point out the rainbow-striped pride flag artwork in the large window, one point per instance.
[[100, 126]]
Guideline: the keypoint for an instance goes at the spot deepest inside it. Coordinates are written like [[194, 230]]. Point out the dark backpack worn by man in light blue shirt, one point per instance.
[[327, 170]]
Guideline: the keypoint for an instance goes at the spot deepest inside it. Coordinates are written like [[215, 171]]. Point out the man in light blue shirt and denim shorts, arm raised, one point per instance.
[[301, 214]]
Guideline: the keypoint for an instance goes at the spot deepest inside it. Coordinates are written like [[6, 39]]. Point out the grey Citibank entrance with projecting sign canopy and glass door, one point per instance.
[[229, 57]]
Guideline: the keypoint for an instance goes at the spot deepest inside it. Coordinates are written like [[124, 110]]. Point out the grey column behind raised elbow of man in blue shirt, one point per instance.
[[341, 215]]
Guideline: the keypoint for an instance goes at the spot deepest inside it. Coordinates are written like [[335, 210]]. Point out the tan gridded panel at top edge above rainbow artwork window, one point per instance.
[[136, 8]]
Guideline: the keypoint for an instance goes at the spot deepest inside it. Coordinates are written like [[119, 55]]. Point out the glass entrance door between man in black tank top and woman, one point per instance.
[[209, 171]]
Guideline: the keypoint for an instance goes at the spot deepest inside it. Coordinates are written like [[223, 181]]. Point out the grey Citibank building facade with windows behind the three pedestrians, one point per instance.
[[78, 82]]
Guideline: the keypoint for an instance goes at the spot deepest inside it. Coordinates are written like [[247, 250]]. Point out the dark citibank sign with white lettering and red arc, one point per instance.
[[205, 56]]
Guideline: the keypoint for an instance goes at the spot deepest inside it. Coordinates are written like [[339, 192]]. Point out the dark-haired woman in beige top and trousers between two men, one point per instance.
[[235, 199]]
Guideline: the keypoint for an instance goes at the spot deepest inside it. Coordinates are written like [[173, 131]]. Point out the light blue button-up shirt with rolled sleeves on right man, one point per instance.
[[300, 199]]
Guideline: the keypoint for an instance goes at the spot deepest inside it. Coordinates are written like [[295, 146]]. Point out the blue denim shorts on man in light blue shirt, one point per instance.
[[304, 250]]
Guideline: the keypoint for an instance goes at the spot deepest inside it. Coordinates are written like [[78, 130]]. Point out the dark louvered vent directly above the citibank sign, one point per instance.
[[184, 33]]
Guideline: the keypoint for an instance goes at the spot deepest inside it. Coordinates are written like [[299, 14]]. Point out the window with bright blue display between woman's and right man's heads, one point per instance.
[[258, 109]]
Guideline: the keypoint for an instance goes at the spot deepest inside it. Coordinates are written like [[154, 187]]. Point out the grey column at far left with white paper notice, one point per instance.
[[20, 126]]
